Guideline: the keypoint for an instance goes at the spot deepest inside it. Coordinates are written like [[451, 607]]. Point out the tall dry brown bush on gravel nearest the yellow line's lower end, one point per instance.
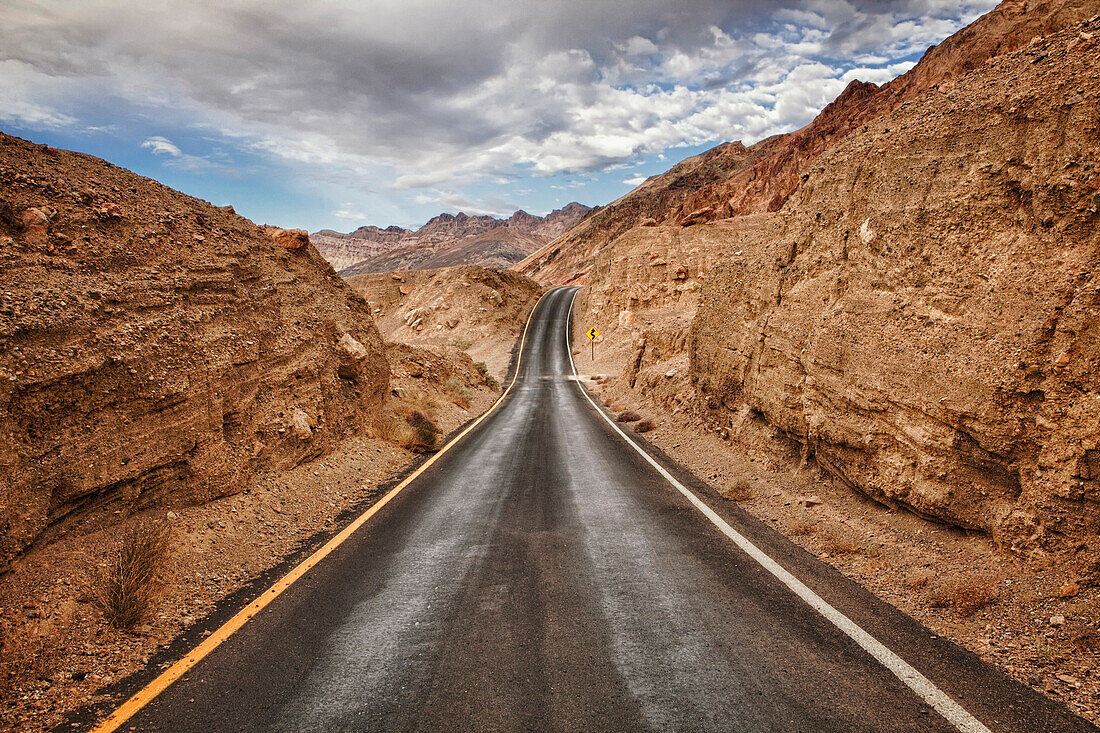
[[129, 587]]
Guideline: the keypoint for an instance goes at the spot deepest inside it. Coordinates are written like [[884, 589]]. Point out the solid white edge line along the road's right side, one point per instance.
[[915, 681]]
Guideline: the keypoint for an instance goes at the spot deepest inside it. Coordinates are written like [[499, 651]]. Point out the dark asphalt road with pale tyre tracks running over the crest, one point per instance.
[[544, 576]]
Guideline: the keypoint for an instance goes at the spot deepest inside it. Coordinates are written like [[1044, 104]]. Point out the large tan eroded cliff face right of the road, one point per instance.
[[919, 314]]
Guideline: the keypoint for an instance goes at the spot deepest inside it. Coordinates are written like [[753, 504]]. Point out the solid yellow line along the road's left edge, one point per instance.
[[144, 697]]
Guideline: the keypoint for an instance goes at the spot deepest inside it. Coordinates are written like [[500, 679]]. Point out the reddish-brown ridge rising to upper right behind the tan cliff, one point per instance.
[[732, 180]]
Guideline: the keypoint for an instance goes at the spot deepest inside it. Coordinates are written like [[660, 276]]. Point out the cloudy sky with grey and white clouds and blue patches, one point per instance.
[[340, 114]]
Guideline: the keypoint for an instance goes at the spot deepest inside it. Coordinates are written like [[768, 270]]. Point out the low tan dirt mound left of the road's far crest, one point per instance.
[[481, 310]]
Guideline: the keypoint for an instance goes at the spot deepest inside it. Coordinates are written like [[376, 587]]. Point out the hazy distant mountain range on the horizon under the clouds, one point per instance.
[[447, 240]]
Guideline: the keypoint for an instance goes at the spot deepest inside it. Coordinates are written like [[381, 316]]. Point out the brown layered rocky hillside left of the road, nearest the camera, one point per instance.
[[158, 351]]
